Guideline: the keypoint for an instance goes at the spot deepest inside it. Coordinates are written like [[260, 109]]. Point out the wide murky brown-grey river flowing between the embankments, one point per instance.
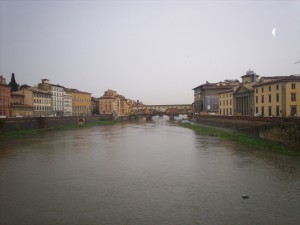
[[144, 173]]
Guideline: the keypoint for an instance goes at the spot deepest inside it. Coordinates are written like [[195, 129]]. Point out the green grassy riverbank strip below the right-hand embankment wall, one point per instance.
[[241, 138]]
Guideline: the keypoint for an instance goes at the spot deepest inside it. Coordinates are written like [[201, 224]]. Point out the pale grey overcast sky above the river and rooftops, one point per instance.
[[152, 51]]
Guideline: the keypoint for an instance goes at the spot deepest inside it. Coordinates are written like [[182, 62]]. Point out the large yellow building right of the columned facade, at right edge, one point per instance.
[[278, 96]]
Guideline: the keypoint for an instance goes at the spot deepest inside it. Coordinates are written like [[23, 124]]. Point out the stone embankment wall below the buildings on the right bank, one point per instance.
[[283, 130]]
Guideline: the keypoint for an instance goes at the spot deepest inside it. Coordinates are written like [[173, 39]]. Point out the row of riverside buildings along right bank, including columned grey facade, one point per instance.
[[254, 96]]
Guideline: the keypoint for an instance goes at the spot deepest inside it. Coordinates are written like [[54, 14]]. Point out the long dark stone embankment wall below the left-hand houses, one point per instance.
[[31, 123]]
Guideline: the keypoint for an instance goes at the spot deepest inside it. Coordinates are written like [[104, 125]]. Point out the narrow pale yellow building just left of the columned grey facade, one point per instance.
[[226, 102]]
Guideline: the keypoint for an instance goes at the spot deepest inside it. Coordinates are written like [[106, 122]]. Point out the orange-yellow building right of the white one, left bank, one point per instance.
[[81, 102]]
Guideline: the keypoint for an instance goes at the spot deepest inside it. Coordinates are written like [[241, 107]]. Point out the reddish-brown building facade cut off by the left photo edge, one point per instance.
[[5, 109]]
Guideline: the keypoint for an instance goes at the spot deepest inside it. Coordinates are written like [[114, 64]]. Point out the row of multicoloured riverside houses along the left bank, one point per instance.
[[49, 100]]
